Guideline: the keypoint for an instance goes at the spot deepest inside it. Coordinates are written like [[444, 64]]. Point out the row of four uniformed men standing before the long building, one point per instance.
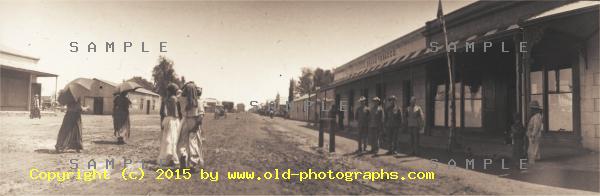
[[382, 123]]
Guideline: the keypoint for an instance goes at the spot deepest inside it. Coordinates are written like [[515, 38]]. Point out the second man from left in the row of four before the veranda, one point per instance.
[[376, 124]]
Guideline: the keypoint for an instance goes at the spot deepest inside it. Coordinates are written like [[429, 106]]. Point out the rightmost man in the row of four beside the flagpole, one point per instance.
[[415, 122]]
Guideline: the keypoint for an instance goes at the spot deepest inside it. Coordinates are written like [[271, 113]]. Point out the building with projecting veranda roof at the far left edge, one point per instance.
[[18, 81]]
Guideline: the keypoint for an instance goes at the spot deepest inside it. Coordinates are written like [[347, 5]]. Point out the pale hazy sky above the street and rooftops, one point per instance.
[[236, 51]]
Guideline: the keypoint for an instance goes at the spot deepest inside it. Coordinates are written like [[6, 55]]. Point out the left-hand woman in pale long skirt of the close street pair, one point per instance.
[[170, 129]]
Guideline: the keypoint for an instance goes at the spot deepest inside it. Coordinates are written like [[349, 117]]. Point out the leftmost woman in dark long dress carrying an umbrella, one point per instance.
[[69, 136]]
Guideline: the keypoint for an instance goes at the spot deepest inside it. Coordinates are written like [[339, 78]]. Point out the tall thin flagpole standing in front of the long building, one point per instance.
[[451, 79]]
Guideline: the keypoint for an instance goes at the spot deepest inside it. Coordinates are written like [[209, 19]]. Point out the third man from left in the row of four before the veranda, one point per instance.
[[393, 120]]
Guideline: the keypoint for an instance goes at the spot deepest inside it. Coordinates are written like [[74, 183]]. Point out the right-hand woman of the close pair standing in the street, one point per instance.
[[190, 143]]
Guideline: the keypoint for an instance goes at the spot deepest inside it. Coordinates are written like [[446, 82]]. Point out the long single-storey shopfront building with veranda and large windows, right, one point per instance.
[[505, 54]]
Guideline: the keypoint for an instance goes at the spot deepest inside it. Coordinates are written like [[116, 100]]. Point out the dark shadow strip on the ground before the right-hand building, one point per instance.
[[552, 171]]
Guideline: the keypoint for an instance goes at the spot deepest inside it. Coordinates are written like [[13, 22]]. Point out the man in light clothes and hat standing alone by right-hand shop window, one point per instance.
[[534, 132]]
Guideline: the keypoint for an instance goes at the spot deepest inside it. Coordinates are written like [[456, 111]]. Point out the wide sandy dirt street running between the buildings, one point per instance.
[[242, 142]]
